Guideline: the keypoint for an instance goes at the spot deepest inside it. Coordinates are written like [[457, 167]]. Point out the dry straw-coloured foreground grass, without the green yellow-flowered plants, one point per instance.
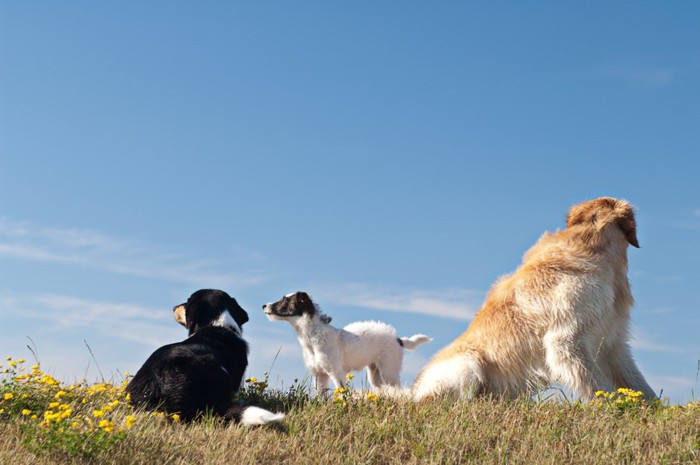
[[484, 431]]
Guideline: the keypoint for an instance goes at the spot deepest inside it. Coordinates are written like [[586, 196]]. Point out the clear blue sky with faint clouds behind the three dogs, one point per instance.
[[391, 158]]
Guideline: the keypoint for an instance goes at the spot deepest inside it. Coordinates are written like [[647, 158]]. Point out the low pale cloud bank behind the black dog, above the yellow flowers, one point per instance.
[[134, 328]]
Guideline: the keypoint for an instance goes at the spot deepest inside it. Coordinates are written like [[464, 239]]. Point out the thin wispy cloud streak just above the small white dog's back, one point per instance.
[[457, 304]]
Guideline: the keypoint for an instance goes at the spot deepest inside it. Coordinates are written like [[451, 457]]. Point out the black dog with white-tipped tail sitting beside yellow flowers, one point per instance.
[[204, 372]]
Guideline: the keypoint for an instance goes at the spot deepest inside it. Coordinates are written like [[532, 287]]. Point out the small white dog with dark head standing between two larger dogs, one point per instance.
[[332, 352]]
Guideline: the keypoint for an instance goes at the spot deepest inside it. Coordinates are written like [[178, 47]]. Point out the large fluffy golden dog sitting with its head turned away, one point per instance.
[[562, 317]]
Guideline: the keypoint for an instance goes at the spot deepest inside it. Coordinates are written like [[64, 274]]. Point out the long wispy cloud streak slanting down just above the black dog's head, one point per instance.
[[96, 251]]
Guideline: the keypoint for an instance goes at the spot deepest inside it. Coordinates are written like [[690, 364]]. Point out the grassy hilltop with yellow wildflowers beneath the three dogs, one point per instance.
[[349, 427]]
